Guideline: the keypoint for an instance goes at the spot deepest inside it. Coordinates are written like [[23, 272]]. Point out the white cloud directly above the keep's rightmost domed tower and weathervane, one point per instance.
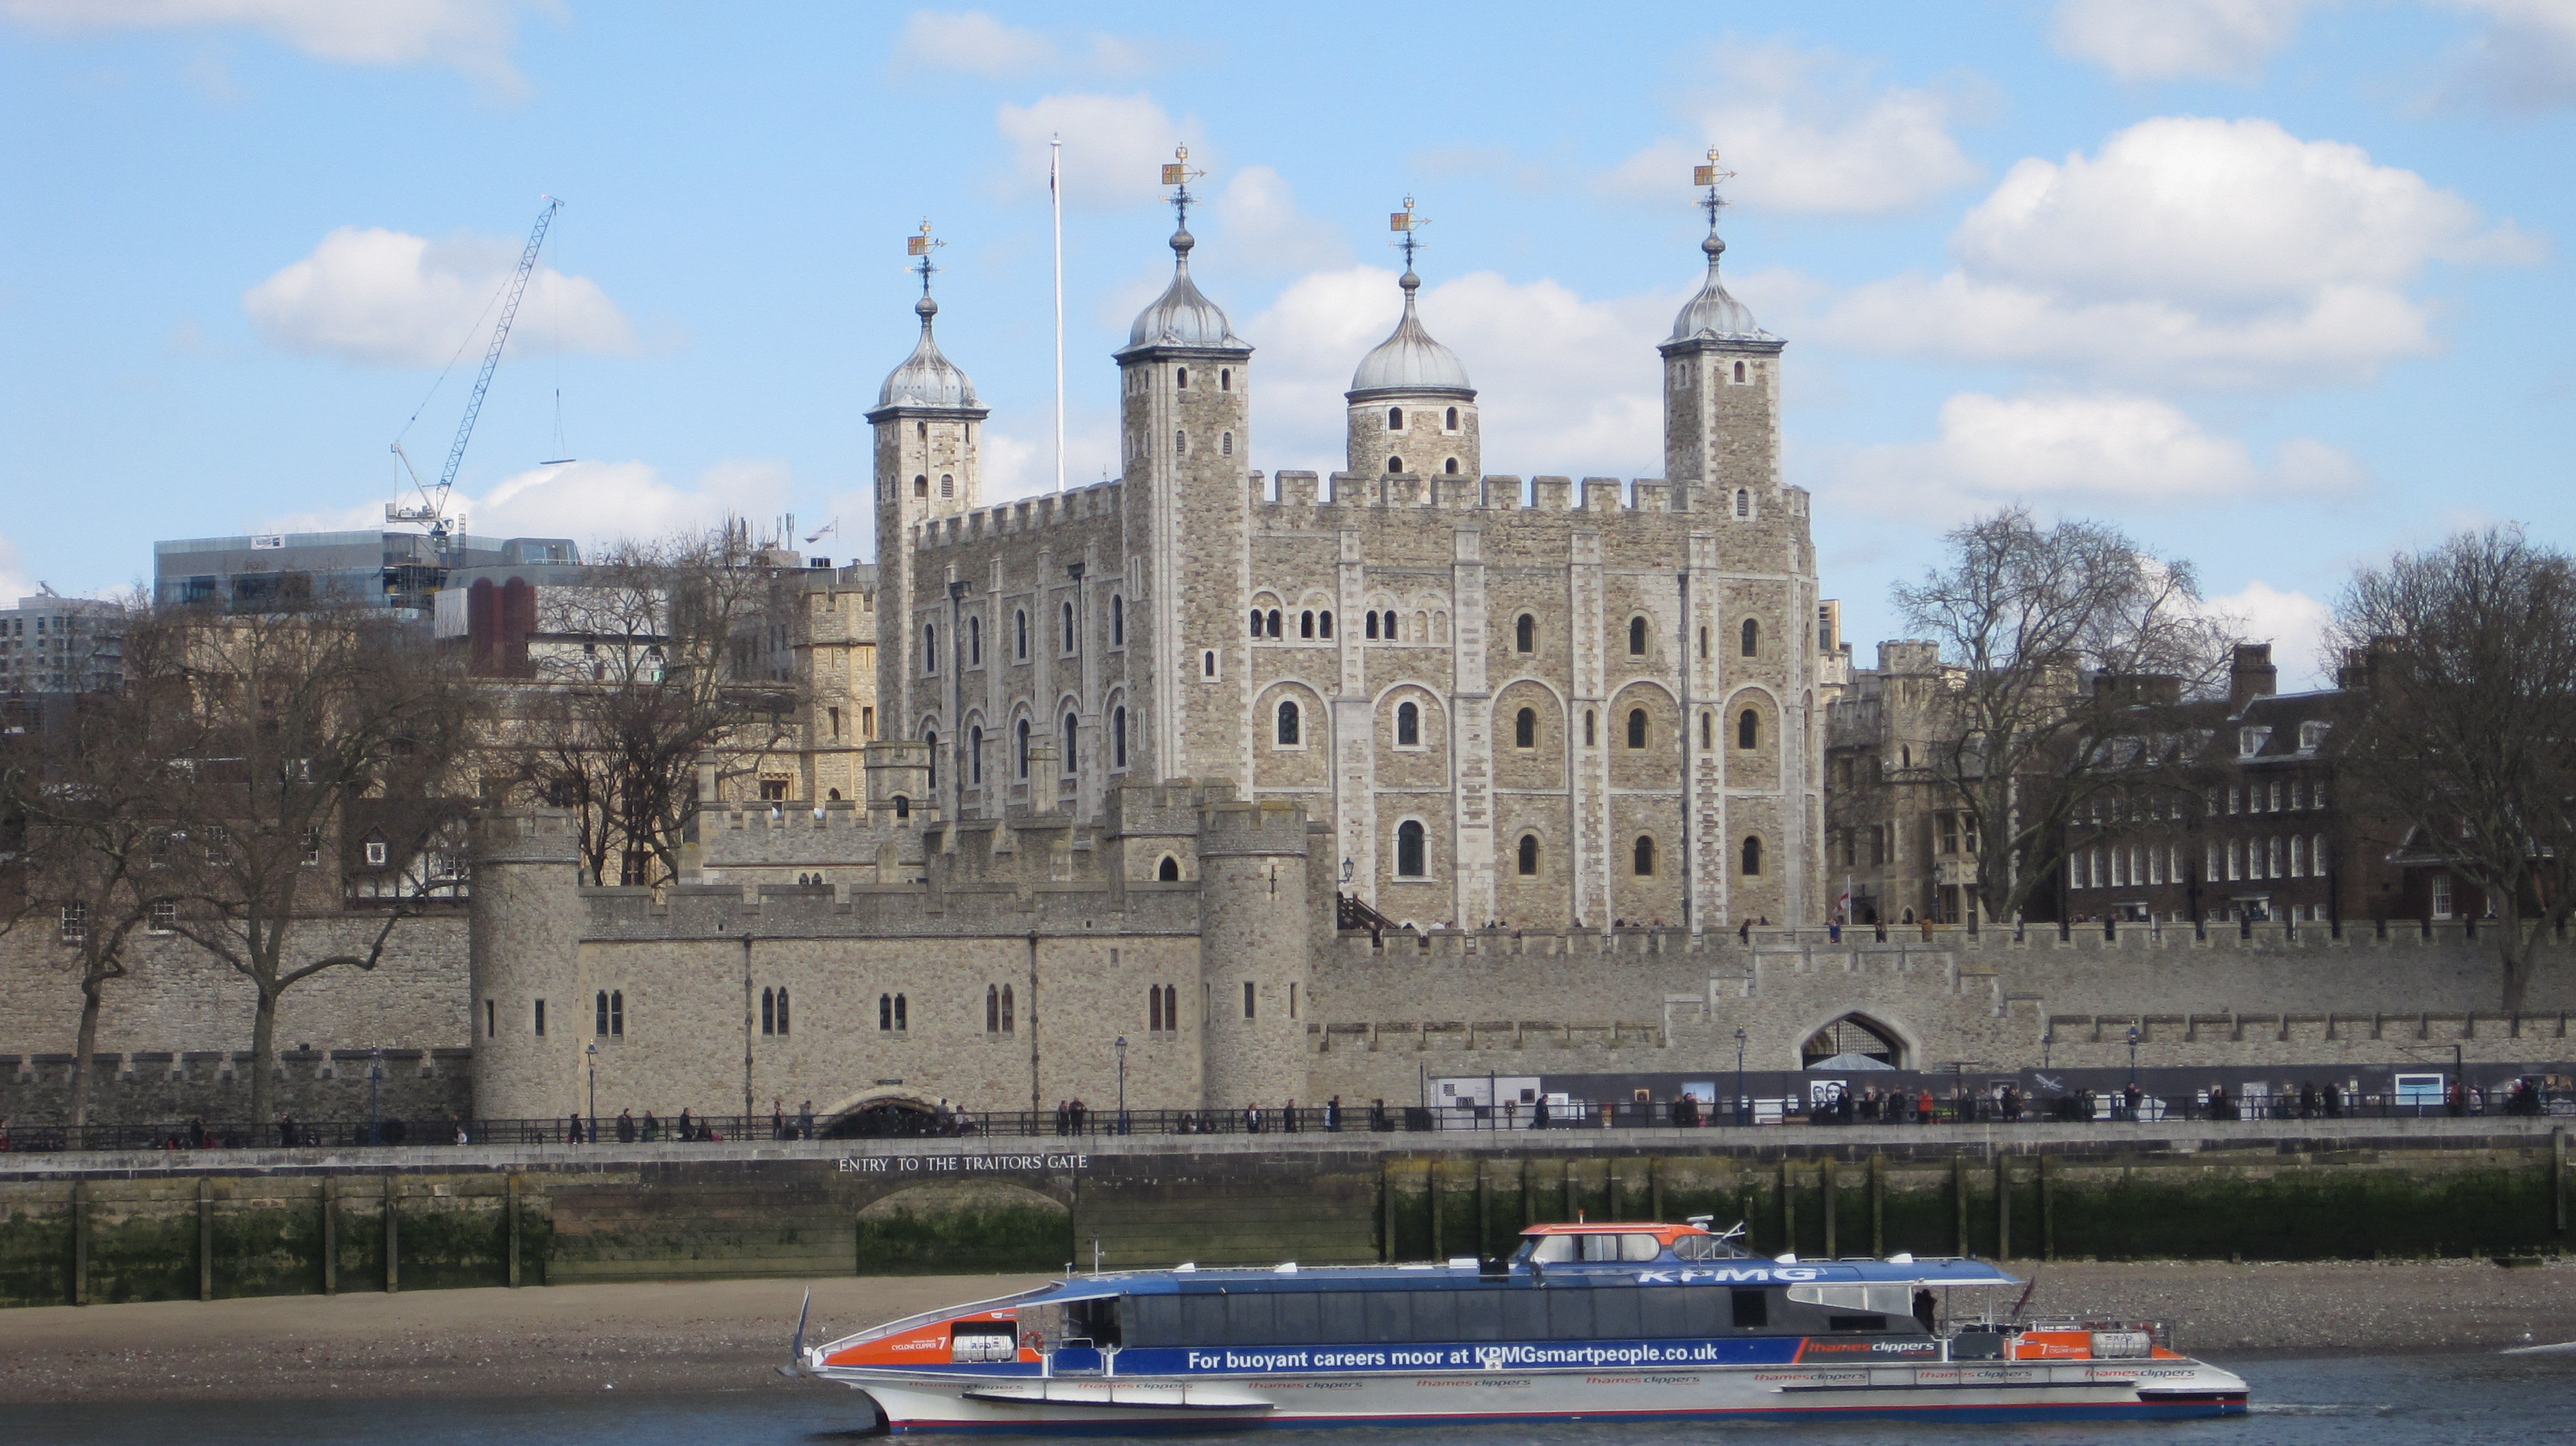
[[1810, 133]]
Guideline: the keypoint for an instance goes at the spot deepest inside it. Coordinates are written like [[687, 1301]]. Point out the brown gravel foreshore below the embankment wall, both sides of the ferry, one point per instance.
[[730, 1334]]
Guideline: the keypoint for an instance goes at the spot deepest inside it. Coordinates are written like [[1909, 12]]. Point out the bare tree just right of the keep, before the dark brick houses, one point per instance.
[[2029, 620]]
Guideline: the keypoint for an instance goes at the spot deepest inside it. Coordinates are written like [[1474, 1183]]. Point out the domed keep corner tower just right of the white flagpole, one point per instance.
[[1186, 517]]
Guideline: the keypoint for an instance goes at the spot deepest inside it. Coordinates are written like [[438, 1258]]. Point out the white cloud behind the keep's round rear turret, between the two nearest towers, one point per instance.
[[1567, 385]]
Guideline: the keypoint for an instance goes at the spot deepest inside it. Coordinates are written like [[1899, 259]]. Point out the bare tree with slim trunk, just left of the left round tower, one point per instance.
[[316, 720]]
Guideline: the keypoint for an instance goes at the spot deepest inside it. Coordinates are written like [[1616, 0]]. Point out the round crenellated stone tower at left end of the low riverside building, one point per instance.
[[529, 1014]]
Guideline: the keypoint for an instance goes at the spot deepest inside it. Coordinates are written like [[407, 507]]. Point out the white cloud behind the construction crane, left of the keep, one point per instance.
[[401, 300]]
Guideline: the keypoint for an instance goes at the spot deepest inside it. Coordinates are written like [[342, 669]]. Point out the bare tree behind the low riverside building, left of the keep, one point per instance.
[[648, 674]]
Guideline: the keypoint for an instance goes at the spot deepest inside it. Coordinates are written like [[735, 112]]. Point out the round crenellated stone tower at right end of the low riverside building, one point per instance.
[[1253, 952]]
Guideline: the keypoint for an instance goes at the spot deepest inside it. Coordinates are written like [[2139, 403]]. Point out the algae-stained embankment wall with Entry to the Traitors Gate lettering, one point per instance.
[[285, 1223]]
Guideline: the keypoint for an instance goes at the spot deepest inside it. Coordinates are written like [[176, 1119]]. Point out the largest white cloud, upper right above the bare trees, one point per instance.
[[2193, 251]]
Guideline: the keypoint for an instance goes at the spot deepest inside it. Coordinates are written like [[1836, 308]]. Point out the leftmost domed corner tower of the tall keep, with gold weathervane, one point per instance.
[[926, 468]]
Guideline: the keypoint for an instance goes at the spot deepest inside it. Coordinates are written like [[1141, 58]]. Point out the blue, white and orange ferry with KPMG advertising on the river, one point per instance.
[[1583, 1324]]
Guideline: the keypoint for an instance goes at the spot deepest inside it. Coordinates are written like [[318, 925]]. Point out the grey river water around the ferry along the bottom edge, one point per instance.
[[2353, 1401]]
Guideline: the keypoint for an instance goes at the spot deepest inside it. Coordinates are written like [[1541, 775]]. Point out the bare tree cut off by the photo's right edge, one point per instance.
[[2464, 682]]
